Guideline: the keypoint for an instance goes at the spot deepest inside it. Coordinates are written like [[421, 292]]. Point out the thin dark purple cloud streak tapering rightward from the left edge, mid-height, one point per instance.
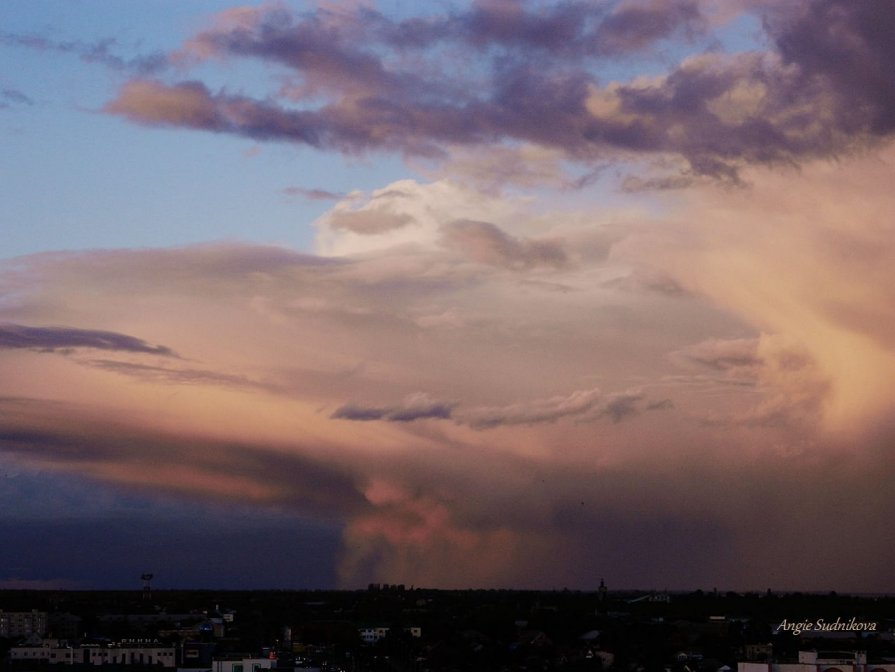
[[49, 339]]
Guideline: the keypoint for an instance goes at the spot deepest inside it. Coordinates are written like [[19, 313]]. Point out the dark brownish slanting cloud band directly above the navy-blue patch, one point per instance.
[[68, 437]]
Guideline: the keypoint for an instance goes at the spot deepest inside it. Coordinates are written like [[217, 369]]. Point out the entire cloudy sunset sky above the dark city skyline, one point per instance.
[[508, 294]]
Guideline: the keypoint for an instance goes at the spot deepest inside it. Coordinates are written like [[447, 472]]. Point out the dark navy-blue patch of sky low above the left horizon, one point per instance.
[[64, 532]]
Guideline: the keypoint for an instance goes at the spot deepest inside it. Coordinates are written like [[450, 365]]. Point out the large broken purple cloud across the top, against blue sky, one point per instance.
[[824, 90]]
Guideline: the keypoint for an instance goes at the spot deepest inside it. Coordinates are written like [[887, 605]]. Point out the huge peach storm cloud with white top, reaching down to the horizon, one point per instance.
[[758, 320]]
